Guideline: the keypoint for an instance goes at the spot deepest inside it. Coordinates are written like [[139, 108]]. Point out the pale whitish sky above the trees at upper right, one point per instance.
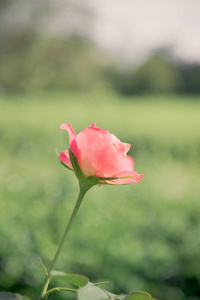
[[132, 28]]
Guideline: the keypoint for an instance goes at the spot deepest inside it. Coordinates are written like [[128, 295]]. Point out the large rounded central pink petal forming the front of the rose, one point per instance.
[[97, 156]]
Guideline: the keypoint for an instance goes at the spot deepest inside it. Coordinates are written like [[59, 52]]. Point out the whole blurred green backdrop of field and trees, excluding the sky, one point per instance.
[[143, 236]]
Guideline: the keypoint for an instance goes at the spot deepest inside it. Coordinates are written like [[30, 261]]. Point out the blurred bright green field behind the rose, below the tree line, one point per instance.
[[143, 237]]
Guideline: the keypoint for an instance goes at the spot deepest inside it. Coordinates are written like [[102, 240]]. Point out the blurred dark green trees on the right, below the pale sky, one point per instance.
[[160, 74]]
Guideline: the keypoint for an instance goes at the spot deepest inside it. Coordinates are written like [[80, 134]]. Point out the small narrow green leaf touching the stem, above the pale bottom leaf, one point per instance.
[[76, 279]]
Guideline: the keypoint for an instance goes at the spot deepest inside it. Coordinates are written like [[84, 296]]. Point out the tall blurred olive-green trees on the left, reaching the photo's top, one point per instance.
[[32, 60]]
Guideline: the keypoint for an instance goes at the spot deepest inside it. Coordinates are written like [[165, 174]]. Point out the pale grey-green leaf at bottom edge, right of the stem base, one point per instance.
[[91, 292]]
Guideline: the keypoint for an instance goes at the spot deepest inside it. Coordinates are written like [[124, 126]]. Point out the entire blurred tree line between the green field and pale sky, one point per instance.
[[32, 60]]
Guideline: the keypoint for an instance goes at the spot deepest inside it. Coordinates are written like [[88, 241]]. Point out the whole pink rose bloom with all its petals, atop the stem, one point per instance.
[[99, 154]]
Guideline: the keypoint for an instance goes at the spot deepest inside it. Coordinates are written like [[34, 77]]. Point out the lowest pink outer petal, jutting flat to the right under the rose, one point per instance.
[[126, 178]]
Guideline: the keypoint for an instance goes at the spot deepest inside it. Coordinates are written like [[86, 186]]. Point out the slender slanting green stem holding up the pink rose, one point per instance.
[[84, 187]]
